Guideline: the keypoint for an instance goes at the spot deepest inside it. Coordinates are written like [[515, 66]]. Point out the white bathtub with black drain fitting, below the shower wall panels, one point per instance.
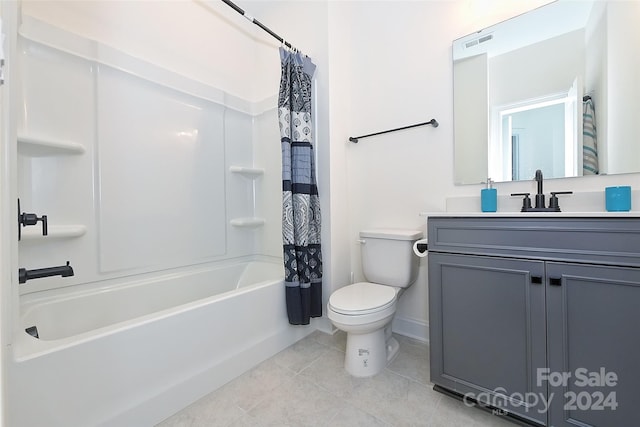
[[133, 354]]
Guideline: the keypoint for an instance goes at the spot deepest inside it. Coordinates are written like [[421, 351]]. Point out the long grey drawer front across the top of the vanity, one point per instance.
[[611, 241]]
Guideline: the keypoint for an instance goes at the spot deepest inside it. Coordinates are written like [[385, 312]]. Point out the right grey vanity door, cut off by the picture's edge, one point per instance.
[[594, 345]]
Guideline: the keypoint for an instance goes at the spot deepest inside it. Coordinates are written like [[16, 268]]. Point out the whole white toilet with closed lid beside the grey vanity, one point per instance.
[[365, 310]]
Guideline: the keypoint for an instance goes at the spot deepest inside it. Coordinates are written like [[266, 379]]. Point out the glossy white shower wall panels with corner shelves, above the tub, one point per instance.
[[98, 165]]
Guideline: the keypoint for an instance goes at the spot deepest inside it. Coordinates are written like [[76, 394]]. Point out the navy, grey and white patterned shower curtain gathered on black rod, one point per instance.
[[300, 203]]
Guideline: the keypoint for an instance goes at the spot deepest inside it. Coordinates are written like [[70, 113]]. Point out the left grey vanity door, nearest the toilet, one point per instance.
[[487, 330]]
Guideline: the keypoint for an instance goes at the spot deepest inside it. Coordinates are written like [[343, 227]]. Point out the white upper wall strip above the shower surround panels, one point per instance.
[[158, 31]]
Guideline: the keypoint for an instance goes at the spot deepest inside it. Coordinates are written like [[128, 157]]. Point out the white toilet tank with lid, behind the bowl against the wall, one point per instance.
[[388, 258]]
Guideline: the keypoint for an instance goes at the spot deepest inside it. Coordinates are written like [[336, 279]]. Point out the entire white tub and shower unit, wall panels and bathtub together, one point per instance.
[[159, 189]]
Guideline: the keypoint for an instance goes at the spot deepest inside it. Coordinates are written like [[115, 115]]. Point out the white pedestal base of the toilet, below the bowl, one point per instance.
[[368, 354]]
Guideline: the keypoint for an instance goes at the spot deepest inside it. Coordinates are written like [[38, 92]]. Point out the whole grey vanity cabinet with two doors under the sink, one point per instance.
[[538, 317]]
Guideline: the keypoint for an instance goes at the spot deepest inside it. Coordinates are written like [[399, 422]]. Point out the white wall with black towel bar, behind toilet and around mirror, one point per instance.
[[396, 77]]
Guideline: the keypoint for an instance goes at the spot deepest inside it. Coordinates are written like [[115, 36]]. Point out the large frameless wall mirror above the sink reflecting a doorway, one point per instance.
[[526, 91]]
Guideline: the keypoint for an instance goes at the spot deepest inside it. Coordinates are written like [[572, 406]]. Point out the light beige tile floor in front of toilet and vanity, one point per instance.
[[306, 385]]
